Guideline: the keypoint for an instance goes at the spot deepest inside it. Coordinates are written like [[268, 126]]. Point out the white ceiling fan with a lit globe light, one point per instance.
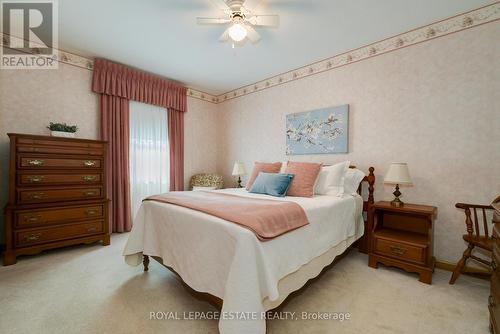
[[241, 17]]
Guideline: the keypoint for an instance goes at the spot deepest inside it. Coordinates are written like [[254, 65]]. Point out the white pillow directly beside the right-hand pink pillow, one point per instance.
[[331, 179]]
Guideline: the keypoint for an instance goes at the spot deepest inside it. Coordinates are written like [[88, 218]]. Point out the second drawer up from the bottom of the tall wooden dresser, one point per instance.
[[58, 215]]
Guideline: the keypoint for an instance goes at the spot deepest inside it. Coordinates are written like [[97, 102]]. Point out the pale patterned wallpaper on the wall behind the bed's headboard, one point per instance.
[[434, 106]]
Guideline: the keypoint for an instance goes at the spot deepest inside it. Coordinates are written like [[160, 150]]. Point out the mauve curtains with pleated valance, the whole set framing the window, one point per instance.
[[118, 84]]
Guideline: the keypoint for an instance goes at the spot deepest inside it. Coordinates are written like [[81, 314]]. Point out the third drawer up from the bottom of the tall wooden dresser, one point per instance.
[[40, 195]]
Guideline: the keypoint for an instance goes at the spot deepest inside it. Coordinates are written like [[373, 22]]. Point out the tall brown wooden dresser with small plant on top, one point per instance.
[[57, 194]]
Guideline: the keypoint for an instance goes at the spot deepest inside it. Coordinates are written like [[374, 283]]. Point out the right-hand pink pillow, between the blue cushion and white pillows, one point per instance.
[[306, 174]]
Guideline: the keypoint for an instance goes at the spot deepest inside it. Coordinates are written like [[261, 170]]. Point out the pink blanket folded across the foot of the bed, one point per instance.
[[266, 218]]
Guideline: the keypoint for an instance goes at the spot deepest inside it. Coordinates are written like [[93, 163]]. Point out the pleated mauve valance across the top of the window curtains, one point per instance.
[[118, 80]]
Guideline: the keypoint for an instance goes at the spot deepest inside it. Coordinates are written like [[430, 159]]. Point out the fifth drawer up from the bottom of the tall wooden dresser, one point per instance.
[[41, 162]]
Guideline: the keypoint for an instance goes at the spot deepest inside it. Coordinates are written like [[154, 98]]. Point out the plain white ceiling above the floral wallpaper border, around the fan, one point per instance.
[[162, 37]]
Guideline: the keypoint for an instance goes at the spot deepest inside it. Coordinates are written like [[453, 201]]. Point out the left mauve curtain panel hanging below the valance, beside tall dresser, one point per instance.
[[115, 130]]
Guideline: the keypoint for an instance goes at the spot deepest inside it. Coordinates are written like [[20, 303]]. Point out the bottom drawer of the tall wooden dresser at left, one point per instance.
[[36, 236]]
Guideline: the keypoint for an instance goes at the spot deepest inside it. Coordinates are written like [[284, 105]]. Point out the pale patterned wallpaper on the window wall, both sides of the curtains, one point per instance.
[[29, 100]]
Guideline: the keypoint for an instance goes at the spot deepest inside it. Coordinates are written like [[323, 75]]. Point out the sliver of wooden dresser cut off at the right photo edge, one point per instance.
[[494, 298]]
